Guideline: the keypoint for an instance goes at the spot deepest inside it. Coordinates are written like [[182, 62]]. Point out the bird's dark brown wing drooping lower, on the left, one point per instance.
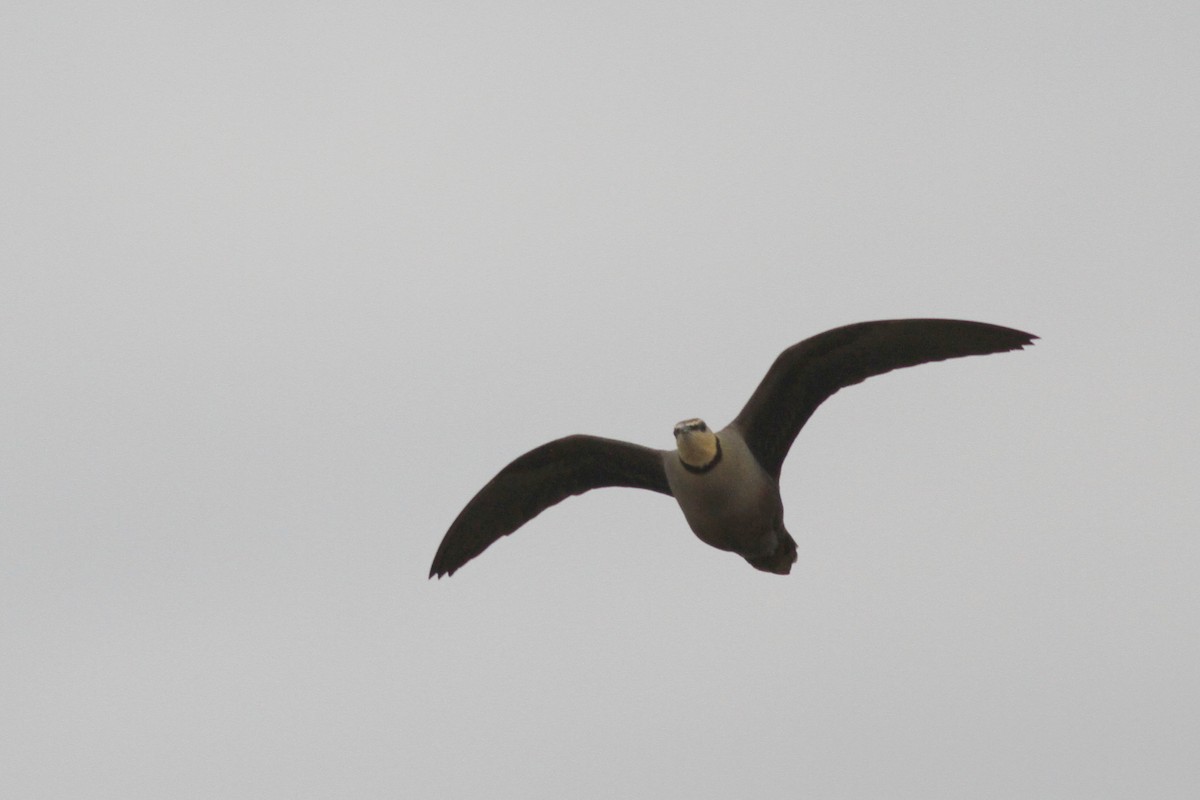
[[538, 480]]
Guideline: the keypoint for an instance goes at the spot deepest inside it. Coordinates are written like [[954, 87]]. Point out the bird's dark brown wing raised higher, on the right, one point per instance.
[[806, 375]]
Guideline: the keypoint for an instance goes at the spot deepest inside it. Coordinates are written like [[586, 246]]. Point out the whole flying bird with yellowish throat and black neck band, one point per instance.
[[727, 482]]
